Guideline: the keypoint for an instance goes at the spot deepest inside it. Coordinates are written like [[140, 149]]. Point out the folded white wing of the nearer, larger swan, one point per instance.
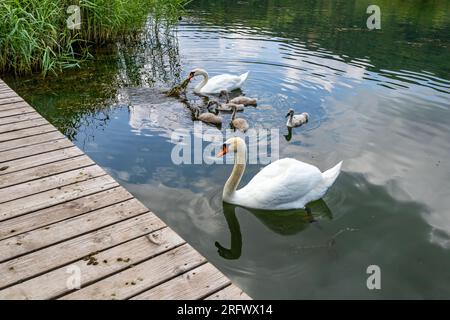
[[280, 183]]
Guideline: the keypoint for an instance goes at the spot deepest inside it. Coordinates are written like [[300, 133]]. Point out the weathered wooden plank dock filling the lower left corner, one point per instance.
[[64, 221]]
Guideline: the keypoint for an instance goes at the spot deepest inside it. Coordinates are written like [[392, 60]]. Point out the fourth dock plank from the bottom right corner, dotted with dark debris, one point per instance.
[[54, 283]]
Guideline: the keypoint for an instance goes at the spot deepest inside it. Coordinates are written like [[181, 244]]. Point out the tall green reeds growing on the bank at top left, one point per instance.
[[34, 36]]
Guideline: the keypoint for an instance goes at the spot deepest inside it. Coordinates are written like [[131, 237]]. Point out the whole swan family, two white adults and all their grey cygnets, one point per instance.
[[282, 185]]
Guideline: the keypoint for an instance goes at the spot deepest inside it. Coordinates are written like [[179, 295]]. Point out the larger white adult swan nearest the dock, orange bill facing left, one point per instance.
[[282, 185]]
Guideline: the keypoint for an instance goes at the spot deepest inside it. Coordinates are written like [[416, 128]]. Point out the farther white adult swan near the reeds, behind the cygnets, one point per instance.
[[217, 83]]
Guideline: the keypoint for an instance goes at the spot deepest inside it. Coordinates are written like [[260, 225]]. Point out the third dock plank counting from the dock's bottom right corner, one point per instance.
[[142, 276]]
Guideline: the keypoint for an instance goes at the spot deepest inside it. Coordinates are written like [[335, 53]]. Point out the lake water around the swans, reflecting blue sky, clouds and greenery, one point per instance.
[[379, 100]]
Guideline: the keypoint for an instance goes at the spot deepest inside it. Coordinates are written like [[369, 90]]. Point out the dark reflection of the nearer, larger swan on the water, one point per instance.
[[287, 222]]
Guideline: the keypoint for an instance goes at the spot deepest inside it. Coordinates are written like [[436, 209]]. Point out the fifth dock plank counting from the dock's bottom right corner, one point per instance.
[[39, 262]]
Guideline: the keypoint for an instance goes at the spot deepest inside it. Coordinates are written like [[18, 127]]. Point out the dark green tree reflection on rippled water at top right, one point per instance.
[[337, 28]]
